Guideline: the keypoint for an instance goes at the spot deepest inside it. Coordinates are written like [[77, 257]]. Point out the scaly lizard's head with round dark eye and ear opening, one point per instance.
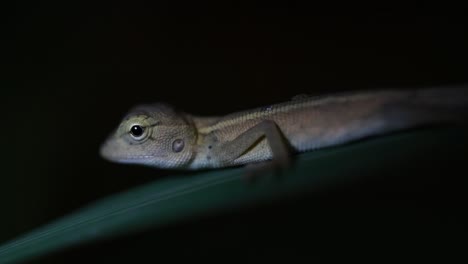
[[154, 135]]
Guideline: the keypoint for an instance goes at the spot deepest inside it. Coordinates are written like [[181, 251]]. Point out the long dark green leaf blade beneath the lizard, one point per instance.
[[195, 194]]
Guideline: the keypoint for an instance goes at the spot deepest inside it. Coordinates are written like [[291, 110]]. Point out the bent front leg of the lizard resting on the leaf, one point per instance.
[[228, 152]]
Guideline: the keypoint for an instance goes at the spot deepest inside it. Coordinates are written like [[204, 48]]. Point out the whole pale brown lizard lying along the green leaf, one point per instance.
[[162, 136]]
